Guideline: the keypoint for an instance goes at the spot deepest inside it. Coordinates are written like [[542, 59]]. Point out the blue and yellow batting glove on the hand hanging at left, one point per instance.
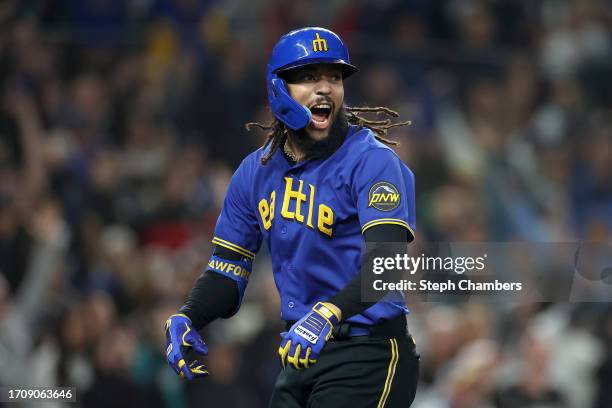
[[180, 337]]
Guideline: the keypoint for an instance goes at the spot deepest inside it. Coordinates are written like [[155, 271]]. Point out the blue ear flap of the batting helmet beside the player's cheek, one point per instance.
[[285, 108]]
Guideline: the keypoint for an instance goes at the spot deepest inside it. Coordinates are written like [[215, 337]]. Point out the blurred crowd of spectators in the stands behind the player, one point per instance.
[[121, 123]]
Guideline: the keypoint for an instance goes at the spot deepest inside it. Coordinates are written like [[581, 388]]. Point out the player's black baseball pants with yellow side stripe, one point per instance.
[[358, 372]]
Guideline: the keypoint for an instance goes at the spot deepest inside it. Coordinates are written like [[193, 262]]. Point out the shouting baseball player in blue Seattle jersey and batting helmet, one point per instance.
[[324, 184]]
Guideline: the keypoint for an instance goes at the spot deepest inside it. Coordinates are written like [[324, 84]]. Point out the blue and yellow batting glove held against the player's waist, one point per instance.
[[303, 343]]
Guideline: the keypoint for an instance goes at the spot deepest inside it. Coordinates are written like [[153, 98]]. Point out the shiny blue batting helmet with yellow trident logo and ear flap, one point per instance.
[[311, 45]]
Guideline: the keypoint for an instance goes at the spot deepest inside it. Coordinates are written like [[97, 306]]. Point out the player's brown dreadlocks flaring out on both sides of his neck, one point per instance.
[[278, 132]]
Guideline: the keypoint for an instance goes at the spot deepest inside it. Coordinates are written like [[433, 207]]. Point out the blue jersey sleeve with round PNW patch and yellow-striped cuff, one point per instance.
[[383, 187]]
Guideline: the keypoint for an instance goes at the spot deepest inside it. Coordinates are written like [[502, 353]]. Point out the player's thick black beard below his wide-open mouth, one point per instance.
[[318, 149]]
